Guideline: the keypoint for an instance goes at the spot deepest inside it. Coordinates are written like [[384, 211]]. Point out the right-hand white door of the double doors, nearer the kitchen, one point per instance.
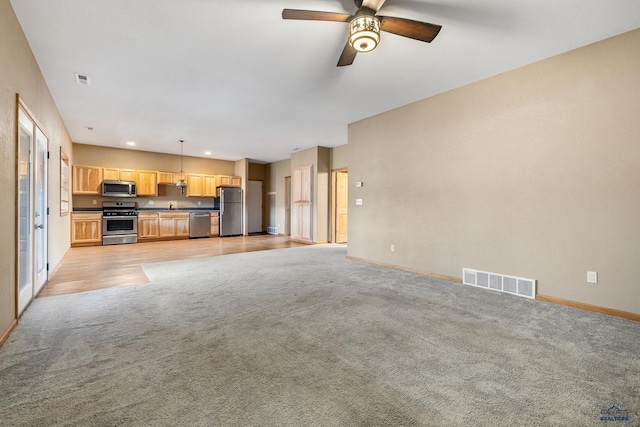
[[40, 211]]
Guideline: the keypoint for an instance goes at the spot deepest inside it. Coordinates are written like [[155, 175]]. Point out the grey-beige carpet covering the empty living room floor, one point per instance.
[[306, 337]]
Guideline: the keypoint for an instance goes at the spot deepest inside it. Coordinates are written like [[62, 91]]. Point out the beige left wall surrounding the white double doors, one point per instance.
[[19, 73]]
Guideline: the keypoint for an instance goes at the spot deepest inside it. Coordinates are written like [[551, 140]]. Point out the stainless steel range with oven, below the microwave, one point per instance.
[[119, 223]]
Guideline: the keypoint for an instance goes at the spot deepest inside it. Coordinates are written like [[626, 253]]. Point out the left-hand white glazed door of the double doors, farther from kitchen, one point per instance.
[[25, 211]]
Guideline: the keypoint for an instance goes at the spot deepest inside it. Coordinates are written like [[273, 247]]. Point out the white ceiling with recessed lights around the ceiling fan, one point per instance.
[[233, 78]]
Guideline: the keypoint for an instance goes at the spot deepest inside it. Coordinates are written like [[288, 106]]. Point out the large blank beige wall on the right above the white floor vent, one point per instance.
[[532, 173]]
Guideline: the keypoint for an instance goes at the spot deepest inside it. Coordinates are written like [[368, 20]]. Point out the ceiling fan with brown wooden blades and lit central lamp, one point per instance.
[[365, 26]]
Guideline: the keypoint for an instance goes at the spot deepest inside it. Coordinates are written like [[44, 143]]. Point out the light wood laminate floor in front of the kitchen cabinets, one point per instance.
[[99, 267]]
